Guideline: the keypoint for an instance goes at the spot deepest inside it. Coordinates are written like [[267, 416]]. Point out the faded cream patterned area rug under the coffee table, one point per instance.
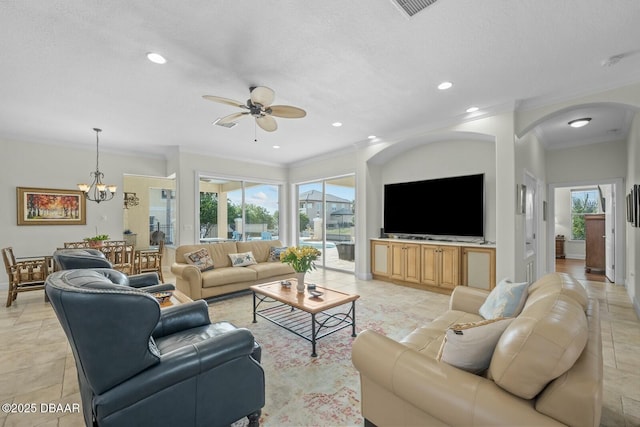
[[325, 390]]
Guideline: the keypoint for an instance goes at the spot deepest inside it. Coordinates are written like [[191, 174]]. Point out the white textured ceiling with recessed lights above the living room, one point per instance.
[[71, 65]]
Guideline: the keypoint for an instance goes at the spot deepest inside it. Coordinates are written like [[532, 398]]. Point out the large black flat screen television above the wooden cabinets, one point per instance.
[[443, 208]]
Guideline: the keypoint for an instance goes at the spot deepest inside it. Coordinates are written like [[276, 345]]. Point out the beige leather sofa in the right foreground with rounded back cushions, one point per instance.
[[546, 369]]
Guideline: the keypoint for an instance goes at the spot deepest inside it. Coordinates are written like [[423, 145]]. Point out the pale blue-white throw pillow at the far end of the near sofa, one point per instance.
[[505, 300]]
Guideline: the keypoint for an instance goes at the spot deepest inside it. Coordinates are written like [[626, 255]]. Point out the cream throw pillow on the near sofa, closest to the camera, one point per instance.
[[470, 346]]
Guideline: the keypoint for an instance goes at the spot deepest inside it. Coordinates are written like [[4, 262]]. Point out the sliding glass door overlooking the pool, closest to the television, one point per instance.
[[326, 220]]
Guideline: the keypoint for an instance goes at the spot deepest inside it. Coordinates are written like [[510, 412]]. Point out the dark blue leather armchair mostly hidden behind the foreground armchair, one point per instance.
[[70, 259]]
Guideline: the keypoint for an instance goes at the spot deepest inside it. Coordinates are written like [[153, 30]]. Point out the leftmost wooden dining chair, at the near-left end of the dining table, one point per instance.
[[28, 274]]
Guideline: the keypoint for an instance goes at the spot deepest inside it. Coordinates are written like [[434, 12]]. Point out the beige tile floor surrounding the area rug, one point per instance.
[[37, 367]]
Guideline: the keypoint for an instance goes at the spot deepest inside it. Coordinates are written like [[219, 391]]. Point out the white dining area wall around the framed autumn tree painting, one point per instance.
[[26, 164]]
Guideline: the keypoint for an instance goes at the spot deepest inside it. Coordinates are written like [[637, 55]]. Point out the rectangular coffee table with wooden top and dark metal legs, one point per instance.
[[287, 308]]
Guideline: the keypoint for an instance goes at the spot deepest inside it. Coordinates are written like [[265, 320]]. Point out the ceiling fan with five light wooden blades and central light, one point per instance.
[[258, 106]]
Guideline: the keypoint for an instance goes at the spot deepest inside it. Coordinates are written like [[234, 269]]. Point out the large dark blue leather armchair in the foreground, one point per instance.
[[139, 365]]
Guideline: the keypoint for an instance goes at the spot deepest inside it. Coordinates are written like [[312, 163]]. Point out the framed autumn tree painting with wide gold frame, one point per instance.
[[46, 206]]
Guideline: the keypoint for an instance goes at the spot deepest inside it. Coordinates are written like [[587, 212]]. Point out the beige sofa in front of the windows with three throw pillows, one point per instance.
[[224, 278]]
